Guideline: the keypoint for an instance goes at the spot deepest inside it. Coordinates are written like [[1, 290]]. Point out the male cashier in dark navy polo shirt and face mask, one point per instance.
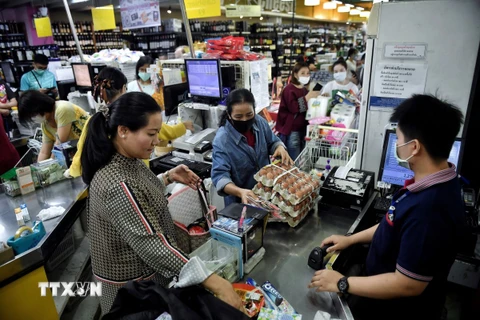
[[415, 244]]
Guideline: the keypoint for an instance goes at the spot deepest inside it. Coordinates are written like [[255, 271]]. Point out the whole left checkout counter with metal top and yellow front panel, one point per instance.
[[19, 277]]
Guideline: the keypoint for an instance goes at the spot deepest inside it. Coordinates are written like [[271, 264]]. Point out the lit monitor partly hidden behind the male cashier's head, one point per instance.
[[391, 172]]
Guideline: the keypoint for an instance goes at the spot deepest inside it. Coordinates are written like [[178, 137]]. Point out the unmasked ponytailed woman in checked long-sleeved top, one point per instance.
[[131, 232]]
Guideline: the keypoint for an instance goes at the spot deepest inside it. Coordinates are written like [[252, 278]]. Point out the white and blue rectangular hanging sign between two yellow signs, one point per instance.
[[140, 13]]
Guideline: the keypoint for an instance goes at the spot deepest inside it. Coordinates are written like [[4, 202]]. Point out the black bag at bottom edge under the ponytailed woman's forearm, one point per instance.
[[147, 300]]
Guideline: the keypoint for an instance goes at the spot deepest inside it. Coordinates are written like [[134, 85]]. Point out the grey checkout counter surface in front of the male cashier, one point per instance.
[[286, 256]]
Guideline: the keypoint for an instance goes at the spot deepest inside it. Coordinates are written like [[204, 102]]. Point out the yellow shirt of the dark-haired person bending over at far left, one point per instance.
[[65, 113]]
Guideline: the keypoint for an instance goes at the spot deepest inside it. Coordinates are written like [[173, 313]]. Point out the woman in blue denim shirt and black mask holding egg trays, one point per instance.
[[241, 147]]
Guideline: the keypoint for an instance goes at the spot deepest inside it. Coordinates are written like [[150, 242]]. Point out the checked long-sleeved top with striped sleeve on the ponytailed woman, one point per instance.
[[132, 235]]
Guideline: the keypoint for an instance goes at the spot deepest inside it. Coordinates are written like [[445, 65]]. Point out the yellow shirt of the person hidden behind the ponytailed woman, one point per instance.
[[166, 134]]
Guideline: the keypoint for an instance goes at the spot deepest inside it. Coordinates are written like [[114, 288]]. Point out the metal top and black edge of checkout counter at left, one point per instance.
[[65, 194]]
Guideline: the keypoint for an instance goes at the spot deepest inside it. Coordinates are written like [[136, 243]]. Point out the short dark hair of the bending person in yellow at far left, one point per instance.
[[32, 103]]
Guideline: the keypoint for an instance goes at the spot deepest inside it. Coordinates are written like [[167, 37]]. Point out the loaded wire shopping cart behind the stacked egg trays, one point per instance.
[[323, 143]]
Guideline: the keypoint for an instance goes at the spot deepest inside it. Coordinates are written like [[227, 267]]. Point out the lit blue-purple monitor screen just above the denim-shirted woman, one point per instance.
[[203, 77]]
